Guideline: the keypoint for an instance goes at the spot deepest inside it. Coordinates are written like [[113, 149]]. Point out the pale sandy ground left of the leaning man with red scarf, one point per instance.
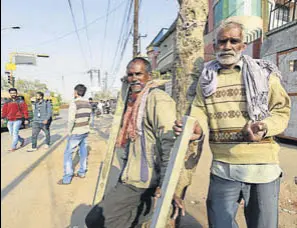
[[31, 197]]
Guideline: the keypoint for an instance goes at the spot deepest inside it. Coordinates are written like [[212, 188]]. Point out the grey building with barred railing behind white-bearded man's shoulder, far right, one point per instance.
[[280, 47]]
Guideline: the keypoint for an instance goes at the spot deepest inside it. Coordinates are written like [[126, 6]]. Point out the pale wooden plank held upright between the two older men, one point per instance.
[[175, 165]]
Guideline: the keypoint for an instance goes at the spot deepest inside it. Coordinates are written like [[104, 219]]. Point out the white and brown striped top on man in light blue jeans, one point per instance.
[[79, 116]]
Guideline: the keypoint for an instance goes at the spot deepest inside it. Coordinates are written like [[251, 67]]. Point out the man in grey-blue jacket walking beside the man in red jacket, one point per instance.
[[42, 118]]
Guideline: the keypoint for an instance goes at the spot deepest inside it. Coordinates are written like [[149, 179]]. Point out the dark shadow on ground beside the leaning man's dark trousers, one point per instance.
[[78, 216]]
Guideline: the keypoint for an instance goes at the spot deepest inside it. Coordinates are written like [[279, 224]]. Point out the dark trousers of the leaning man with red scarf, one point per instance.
[[124, 206]]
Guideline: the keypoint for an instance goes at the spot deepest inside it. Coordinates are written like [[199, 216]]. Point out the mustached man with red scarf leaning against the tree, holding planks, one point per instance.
[[146, 139]]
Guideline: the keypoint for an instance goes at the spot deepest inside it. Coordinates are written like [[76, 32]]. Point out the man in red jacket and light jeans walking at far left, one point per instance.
[[15, 110]]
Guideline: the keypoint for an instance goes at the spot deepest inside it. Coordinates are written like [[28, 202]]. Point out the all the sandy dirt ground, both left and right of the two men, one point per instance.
[[30, 197]]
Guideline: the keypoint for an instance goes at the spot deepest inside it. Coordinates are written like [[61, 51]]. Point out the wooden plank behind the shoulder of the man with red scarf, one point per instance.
[[105, 170]]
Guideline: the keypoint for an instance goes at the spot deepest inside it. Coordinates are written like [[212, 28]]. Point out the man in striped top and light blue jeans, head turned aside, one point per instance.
[[78, 130]]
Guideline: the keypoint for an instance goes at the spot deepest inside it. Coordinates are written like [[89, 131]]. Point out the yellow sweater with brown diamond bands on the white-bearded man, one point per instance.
[[225, 114]]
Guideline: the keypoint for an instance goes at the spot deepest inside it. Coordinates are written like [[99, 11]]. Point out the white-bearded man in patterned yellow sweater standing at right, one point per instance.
[[242, 104]]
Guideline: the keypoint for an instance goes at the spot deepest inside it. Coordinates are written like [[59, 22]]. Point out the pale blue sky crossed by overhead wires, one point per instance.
[[47, 27]]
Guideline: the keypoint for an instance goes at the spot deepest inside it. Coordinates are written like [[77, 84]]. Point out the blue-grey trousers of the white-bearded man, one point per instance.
[[260, 203]]
